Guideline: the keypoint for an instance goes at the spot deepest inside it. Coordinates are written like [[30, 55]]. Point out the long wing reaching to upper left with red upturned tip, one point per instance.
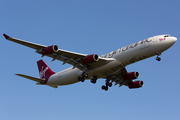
[[69, 57]]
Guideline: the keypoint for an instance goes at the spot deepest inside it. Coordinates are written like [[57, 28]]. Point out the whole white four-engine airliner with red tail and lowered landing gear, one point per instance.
[[110, 66]]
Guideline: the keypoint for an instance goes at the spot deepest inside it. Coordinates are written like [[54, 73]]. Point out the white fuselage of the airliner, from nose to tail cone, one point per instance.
[[120, 58]]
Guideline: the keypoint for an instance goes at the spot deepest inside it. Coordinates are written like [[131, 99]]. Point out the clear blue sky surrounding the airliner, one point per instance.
[[88, 27]]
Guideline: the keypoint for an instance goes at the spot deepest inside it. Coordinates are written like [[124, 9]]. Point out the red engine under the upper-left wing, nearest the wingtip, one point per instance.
[[50, 50]]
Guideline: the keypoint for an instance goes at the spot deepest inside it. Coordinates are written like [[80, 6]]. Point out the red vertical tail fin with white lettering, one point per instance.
[[44, 71]]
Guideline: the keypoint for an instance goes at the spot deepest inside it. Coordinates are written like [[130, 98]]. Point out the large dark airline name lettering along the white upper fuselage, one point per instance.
[[126, 48]]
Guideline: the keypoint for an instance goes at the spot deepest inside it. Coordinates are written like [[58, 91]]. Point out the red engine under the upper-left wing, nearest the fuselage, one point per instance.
[[90, 59]]
